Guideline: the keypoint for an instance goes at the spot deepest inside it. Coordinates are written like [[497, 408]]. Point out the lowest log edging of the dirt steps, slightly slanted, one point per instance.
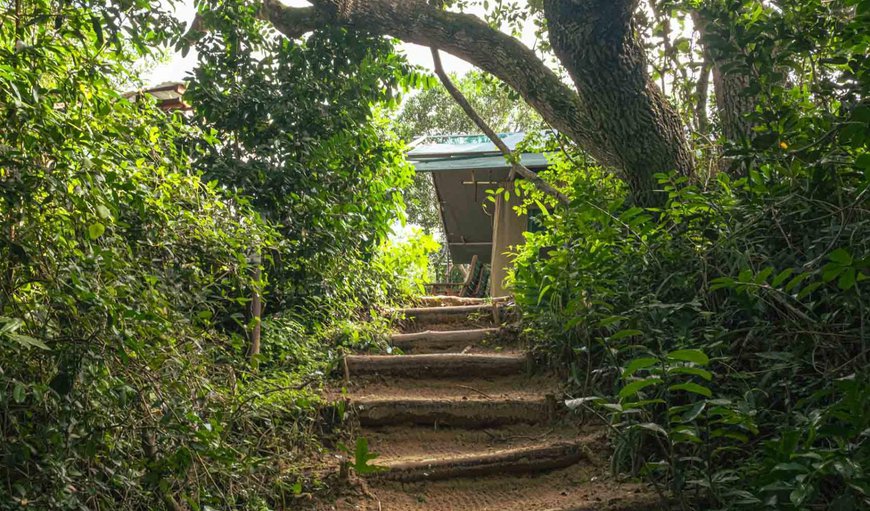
[[508, 461]]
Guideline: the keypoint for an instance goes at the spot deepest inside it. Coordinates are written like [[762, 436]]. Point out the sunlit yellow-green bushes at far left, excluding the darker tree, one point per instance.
[[124, 284]]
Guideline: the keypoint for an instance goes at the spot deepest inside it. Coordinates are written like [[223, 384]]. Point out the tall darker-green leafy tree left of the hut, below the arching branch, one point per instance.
[[299, 132]]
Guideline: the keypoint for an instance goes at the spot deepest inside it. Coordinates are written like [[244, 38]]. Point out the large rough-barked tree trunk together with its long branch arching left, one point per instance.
[[619, 117]]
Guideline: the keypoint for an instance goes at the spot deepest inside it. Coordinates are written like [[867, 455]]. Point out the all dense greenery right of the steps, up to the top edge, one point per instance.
[[724, 335]]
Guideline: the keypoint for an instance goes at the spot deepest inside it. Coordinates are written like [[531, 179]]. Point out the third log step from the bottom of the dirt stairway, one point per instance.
[[444, 365]]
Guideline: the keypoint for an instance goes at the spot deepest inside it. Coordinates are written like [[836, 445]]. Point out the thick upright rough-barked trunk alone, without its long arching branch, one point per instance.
[[596, 42]]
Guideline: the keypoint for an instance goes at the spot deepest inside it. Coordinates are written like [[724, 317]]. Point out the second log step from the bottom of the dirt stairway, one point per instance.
[[466, 413]]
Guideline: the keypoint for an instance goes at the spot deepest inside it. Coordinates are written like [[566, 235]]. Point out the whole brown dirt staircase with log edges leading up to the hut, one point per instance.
[[461, 421]]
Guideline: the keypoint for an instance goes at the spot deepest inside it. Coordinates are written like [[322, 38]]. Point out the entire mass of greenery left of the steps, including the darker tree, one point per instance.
[[129, 248]]
